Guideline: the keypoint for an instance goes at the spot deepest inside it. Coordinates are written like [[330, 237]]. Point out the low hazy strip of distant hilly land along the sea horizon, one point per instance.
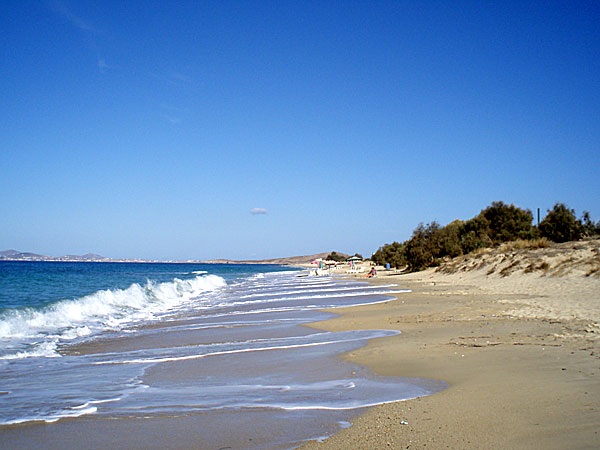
[[15, 255]]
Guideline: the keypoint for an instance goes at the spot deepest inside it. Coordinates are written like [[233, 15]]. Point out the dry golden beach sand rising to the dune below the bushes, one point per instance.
[[519, 348]]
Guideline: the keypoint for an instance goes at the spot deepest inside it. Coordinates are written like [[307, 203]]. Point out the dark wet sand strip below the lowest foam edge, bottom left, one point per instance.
[[196, 431]]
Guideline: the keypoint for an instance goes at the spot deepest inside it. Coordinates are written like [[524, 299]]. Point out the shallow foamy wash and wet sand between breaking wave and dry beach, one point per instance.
[[304, 375]]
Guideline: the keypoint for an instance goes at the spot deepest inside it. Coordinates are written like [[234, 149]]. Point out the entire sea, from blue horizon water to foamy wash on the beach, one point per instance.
[[222, 348]]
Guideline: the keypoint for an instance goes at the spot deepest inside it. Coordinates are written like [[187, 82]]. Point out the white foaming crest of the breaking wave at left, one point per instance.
[[111, 308]]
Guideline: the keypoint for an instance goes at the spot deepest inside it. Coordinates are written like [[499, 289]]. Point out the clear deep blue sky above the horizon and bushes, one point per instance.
[[177, 130]]
